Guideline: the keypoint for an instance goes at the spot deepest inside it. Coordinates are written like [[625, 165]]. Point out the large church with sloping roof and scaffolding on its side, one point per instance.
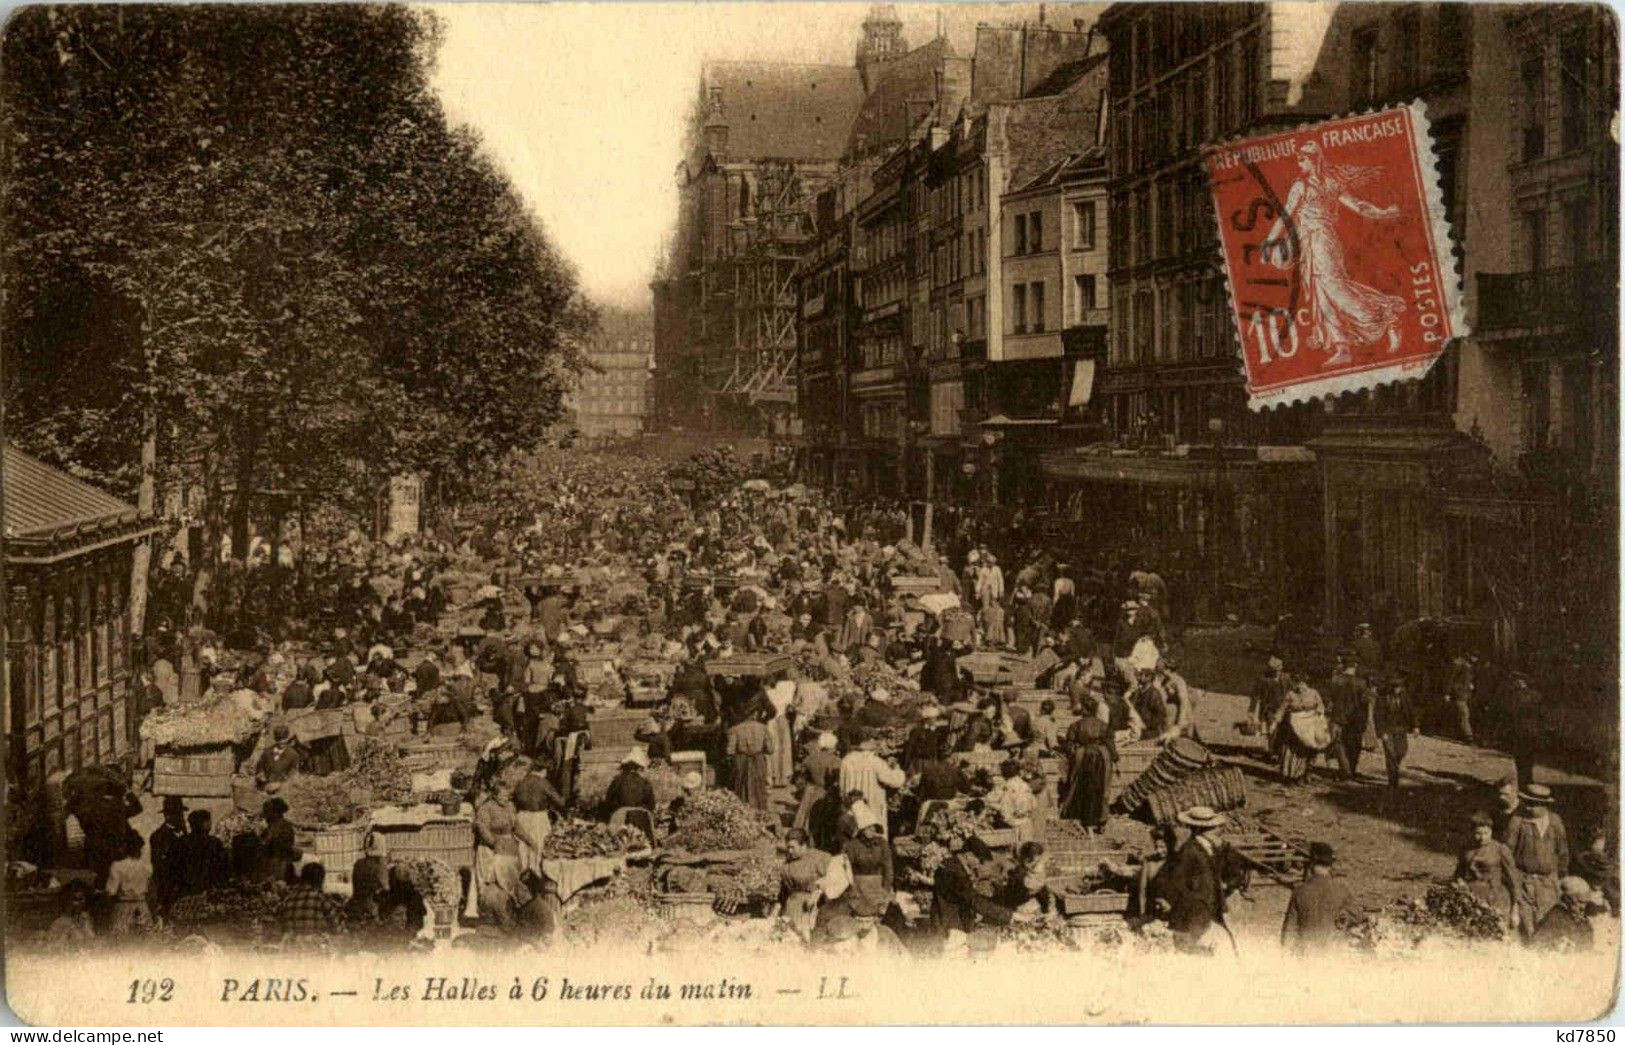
[[765, 141]]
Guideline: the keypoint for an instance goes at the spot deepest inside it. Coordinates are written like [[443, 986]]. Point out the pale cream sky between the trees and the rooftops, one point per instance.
[[584, 105]]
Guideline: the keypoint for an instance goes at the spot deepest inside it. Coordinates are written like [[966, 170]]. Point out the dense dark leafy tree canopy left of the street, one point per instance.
[[249, 236]]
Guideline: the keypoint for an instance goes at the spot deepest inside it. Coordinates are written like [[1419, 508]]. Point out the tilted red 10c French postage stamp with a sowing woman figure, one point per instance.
[[1338, 256]]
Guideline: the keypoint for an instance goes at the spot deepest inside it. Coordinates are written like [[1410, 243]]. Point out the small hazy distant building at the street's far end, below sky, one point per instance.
[[615, 396]]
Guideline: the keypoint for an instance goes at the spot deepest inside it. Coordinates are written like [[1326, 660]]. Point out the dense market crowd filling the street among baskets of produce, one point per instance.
[[849, 714]]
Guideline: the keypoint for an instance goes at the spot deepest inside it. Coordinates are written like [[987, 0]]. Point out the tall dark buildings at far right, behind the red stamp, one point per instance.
[[1478, 493]]
